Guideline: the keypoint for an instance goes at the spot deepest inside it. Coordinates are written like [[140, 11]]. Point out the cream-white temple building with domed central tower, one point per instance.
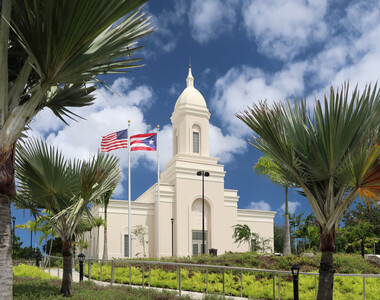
[[181, 198]]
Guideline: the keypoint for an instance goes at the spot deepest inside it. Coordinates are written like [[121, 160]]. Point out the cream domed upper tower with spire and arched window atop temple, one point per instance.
[[190, 121]]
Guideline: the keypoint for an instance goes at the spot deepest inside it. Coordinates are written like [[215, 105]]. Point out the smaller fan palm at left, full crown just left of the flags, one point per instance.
[[64, 189]]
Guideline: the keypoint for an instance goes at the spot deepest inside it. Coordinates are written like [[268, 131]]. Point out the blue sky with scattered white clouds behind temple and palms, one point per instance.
[[242, 51]]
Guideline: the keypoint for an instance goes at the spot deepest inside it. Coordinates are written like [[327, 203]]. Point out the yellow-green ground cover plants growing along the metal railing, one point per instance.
[[255, 284]]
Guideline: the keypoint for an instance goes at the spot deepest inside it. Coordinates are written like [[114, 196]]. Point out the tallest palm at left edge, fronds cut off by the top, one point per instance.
[[50, 57]]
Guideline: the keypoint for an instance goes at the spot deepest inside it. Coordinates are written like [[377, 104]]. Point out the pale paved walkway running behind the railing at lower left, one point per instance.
[[58, 273]]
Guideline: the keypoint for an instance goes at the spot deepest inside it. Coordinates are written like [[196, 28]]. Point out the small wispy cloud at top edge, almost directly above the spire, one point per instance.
[[210, 18]]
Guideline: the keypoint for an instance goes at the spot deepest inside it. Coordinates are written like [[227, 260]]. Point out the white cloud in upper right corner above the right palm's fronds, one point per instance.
[[353, 55]]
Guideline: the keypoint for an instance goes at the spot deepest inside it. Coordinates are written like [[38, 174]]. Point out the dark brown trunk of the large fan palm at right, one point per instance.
[[326, 269]]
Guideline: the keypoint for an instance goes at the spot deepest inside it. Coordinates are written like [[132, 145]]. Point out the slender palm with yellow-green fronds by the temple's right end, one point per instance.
[[267, 167]]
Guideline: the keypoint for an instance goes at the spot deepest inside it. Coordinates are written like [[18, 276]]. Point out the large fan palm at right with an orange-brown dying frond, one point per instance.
[[331, 152]]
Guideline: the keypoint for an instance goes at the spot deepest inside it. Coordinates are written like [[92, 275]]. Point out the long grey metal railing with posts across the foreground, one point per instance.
[[275, 273]]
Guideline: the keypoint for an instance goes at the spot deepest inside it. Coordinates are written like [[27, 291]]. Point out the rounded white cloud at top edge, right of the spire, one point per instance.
[[283, 29]]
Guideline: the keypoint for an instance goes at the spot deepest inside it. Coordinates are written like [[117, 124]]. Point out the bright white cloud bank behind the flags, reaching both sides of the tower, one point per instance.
[[110, 113]]
